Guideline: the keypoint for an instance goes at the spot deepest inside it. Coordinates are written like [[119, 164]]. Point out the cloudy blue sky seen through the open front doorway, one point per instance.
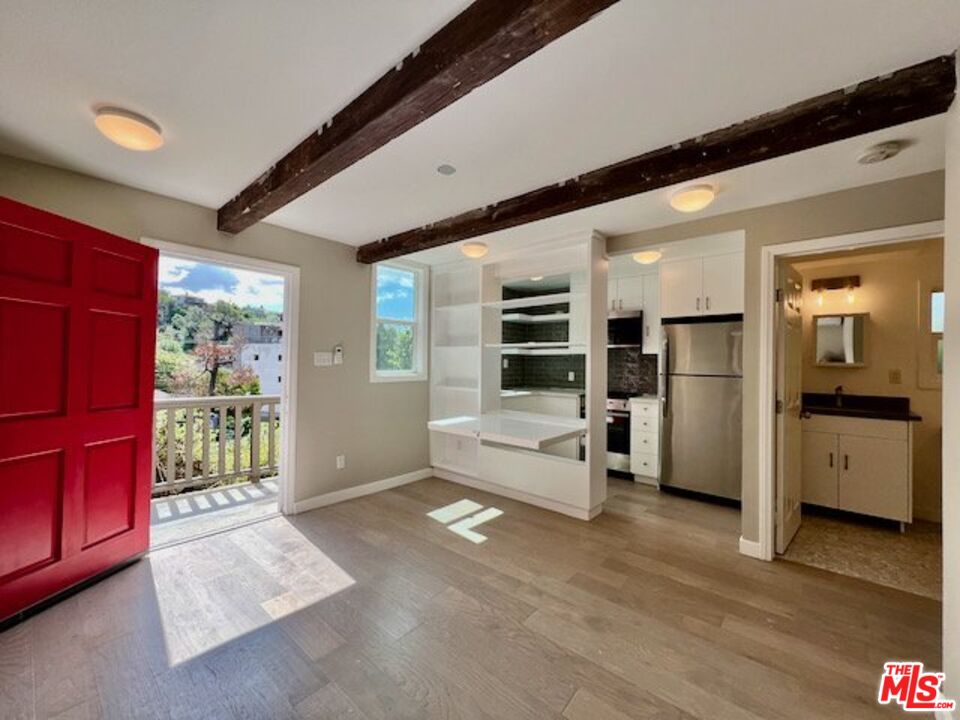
[[216, 282]]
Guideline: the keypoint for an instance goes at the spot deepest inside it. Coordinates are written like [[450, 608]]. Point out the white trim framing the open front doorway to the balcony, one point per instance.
[[291, 330]]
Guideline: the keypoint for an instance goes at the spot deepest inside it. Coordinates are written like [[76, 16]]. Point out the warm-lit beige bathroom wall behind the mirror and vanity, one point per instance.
[[894, 340]]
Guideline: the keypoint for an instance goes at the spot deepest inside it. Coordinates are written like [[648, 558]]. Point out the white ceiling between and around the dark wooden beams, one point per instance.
[[236, 83]]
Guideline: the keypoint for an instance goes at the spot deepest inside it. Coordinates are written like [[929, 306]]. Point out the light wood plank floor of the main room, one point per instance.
[[370, 609]]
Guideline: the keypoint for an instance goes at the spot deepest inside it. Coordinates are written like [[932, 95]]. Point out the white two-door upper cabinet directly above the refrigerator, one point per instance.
[[709, 285]]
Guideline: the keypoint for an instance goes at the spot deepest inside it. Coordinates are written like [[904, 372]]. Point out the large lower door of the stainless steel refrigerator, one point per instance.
[[701, 435]]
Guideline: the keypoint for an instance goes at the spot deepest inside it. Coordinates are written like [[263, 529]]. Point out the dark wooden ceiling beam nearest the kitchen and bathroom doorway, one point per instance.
[[909, 94]]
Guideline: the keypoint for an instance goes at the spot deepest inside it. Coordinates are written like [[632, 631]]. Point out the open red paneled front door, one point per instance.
[[77, 323]]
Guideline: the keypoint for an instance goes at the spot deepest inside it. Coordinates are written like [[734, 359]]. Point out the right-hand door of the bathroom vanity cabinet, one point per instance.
[[874, 477]]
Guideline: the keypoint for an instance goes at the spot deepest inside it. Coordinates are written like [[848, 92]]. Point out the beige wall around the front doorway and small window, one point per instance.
[[380, 427]]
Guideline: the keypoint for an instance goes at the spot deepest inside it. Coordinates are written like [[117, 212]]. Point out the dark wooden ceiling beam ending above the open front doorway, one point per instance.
[[486, 39]]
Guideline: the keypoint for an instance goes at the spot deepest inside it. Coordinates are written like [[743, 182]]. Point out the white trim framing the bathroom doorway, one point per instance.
[[769, 254]]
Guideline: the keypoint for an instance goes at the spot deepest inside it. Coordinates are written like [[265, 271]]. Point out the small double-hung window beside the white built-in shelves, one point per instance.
[[399, 328]]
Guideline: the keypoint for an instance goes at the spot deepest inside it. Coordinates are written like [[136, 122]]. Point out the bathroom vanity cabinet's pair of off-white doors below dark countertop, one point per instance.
[[859, 465]]
